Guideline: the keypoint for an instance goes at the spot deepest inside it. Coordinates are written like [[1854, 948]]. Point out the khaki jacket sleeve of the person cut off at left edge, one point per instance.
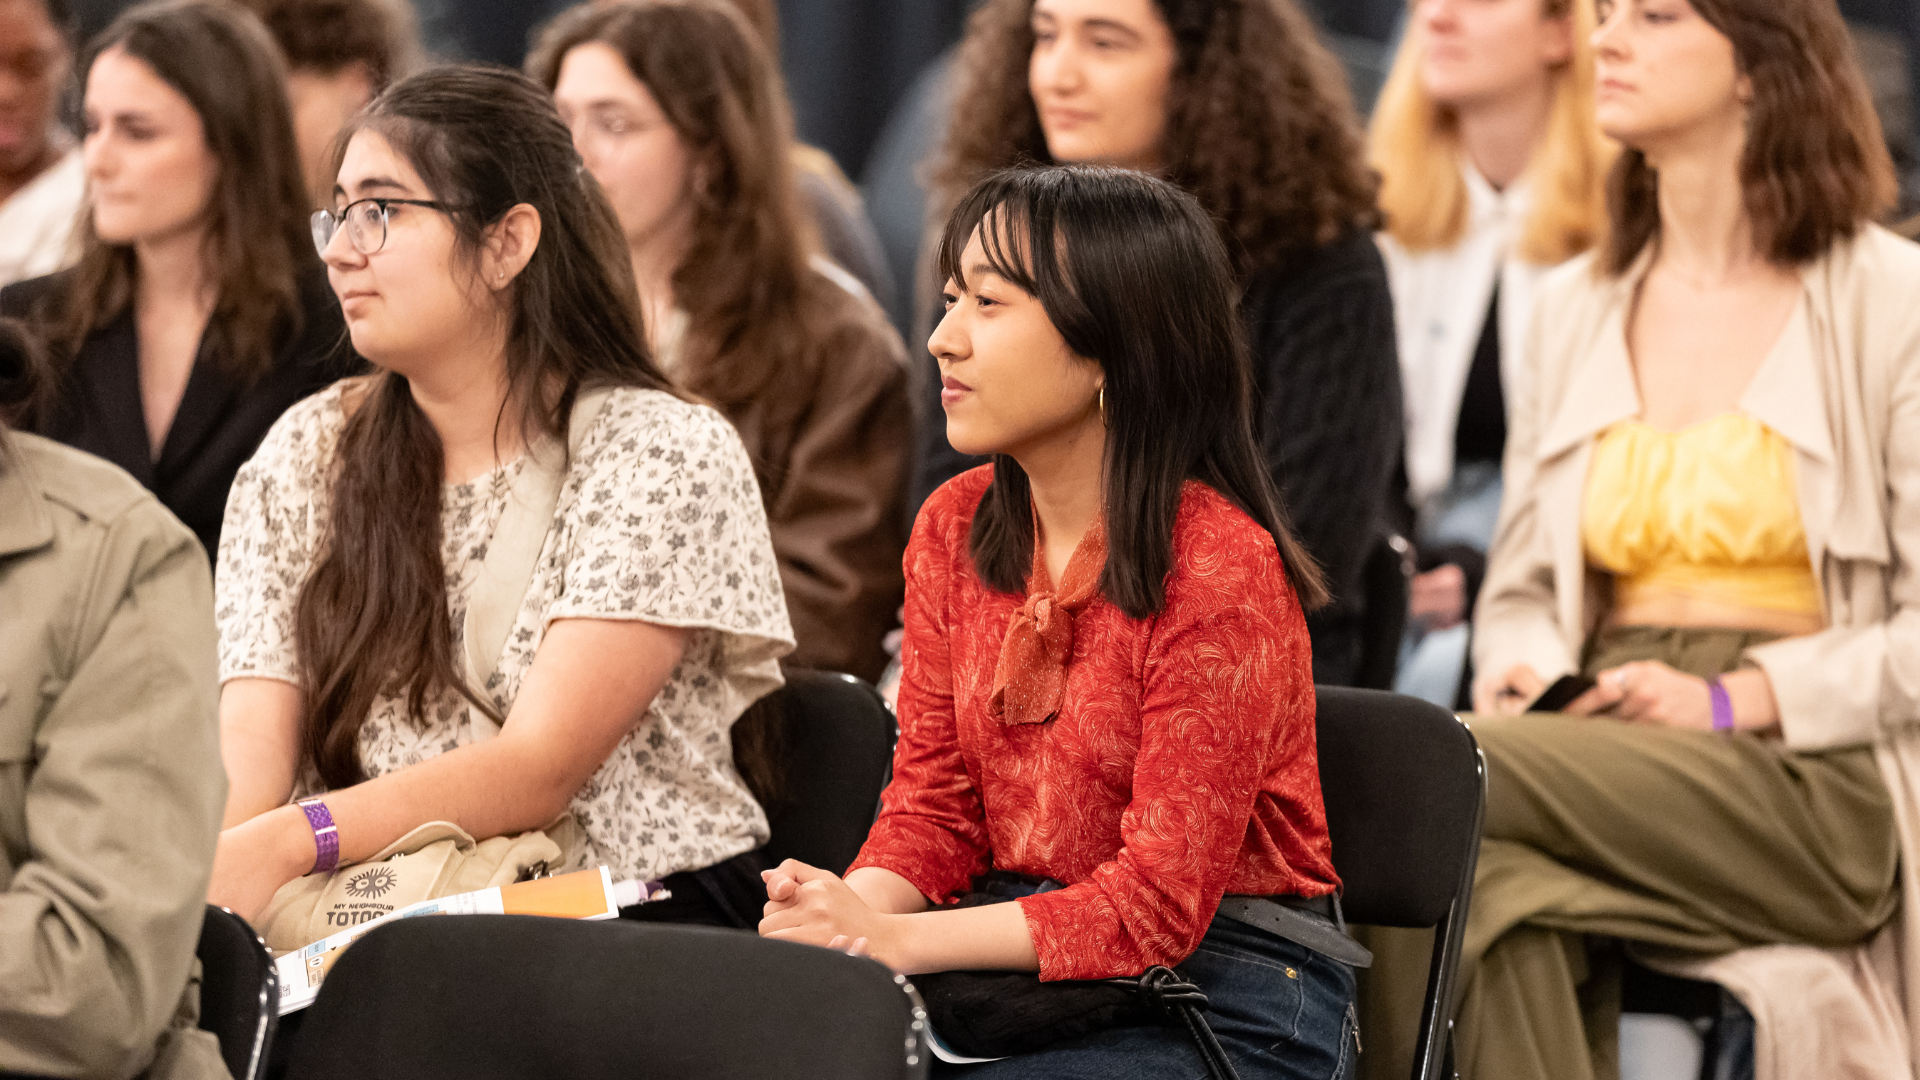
[[124, 800]]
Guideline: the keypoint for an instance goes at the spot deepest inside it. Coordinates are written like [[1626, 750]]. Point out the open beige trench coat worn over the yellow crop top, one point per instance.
[[1854, 420]]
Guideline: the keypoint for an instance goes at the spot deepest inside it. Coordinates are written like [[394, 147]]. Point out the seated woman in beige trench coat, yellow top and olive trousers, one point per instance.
[[1714, 510]]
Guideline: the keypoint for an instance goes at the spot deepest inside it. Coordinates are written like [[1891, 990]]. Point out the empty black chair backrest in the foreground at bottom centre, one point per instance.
[[483, 996]]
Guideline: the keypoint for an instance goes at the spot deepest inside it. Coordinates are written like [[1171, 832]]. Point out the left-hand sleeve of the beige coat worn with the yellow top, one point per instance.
[[1516, 618]]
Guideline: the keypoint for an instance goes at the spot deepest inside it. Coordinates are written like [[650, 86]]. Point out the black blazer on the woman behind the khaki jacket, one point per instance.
[[222, 420]]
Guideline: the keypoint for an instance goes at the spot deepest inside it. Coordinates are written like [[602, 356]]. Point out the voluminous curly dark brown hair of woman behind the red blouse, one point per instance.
[[1260, 122]]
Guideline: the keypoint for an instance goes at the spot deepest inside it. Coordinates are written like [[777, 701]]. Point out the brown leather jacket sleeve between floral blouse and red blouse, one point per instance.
[[840, 512]]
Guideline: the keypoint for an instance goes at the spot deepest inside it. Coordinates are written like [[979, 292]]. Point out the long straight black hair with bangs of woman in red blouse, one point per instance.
[[1134, 276]]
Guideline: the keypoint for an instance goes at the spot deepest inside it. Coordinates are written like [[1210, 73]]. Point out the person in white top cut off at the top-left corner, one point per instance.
[[43, 182]]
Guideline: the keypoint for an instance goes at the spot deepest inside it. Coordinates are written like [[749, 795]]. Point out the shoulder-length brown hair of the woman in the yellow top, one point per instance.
[[1815, 166]]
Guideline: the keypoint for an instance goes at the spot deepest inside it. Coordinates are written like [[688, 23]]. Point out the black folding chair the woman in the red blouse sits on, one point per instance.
[[1406, 789]]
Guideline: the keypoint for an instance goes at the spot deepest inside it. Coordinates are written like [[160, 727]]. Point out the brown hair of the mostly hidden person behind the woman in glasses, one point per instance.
[[327, 36]]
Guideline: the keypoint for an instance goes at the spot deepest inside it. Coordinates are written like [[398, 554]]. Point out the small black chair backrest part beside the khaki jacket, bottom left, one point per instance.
[[239, 991]]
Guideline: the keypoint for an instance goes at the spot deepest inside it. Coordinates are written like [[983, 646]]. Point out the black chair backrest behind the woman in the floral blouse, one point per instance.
[[838, 749]]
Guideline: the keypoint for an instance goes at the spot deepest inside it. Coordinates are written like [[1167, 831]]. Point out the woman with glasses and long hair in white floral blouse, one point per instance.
[[483, 272]]
